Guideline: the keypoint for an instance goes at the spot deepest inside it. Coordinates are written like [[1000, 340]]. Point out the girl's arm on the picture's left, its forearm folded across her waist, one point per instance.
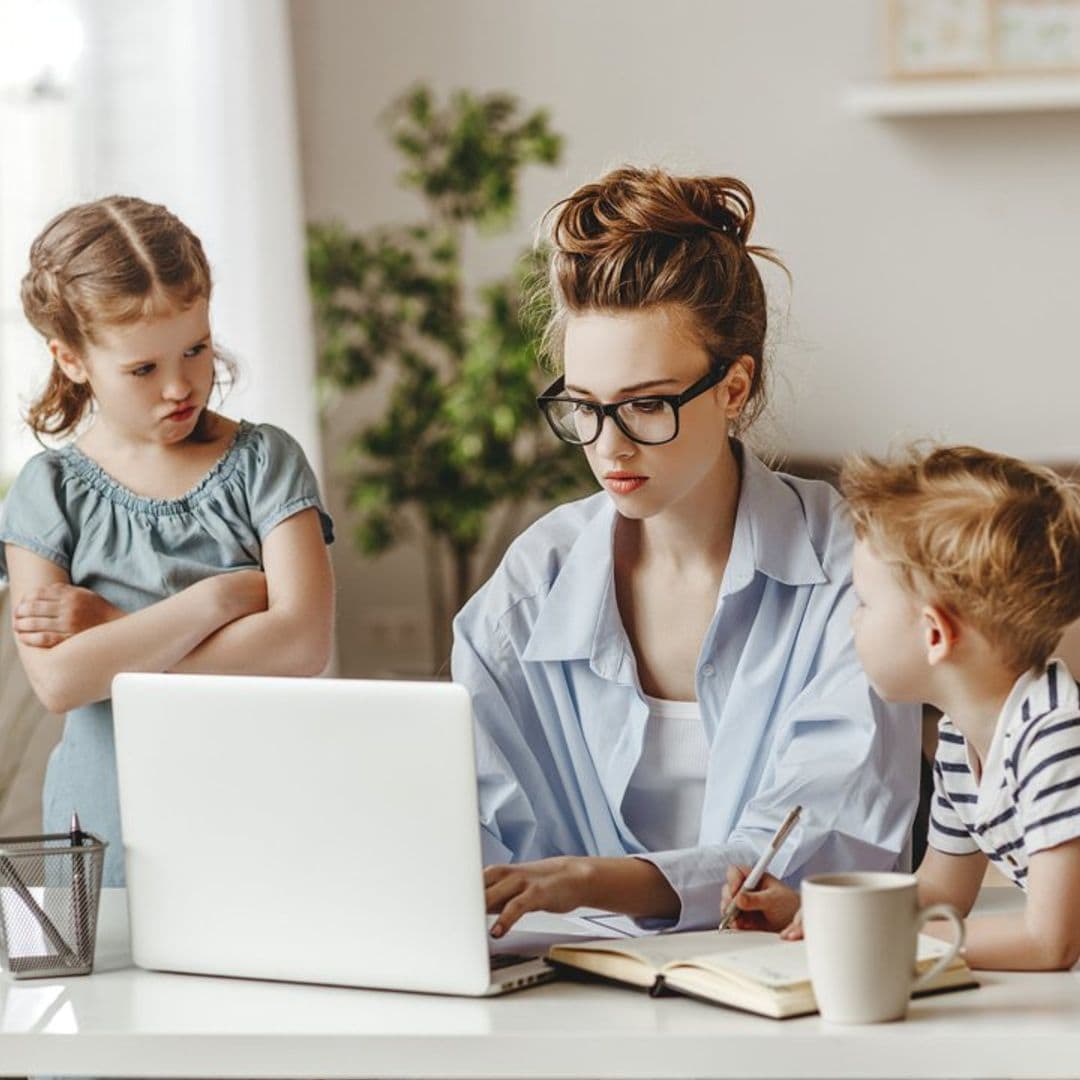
[[80, 669]]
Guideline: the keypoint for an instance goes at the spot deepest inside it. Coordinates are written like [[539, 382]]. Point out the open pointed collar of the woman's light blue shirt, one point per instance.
[[580, 617]]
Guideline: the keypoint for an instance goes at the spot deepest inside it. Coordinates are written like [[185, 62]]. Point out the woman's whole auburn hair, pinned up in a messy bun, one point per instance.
[[640, 239]]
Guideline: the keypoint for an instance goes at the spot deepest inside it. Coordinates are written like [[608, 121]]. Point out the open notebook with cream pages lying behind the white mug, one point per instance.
[[746, 970]]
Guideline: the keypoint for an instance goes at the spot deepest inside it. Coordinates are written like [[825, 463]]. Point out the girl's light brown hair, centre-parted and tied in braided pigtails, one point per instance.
[[106, 263]]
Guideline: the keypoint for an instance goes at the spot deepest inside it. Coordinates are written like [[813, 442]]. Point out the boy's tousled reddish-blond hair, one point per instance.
[[993, 539]]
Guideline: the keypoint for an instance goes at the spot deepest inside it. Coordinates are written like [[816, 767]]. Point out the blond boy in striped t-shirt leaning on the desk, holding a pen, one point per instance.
[[967, 571]]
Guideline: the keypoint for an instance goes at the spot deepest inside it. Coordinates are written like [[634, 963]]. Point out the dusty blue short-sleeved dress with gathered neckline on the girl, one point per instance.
[[136, 551]]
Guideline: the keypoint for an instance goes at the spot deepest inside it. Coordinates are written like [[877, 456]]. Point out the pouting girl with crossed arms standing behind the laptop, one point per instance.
[[166, 537]]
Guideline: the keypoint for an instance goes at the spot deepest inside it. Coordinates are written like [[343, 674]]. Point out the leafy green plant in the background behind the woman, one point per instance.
[[462, 452]]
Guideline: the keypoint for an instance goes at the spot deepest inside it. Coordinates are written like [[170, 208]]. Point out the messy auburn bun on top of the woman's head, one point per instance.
[[630, 202]]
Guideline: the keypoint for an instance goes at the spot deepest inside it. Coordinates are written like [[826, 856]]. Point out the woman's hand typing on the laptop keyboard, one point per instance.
[[549, 885]]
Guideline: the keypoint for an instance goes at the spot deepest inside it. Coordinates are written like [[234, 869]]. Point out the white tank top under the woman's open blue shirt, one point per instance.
[[664, 801]]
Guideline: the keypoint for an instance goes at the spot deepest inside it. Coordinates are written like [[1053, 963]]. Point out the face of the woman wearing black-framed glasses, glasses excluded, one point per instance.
[[612, 357]]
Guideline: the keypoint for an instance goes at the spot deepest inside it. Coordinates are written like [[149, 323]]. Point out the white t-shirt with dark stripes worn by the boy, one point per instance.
[[1029, 796]]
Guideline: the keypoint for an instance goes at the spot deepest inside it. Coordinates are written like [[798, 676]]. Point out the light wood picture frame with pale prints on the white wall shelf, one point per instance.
[[947, 38]]
